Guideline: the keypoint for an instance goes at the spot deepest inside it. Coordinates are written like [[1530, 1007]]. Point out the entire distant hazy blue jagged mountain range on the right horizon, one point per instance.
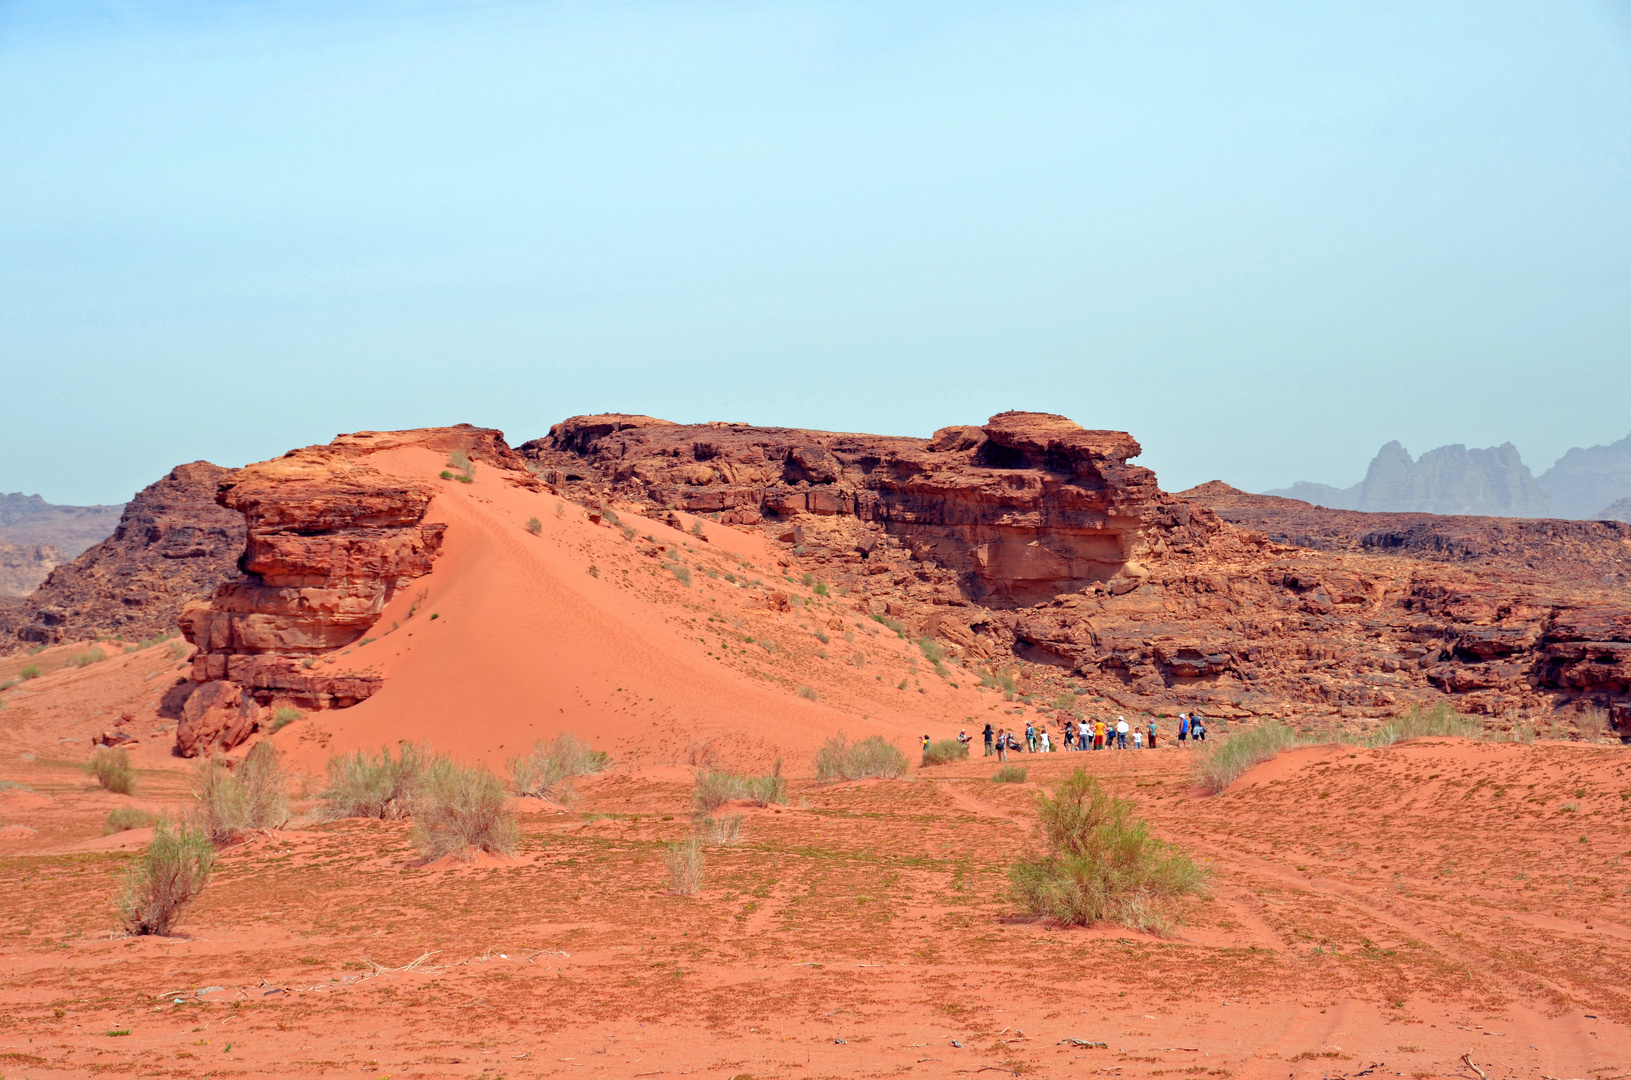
[[1589, 484]]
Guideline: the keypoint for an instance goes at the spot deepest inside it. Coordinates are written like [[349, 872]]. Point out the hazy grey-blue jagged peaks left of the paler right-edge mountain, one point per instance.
[[1449, 480]]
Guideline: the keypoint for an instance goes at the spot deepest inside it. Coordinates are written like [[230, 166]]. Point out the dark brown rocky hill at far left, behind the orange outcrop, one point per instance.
[[174, 546]]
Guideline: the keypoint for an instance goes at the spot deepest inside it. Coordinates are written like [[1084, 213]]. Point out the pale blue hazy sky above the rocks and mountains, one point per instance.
[[1263, 237]]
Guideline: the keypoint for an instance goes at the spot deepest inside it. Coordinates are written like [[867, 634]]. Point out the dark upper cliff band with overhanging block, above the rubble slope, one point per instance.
[[1019, 510]]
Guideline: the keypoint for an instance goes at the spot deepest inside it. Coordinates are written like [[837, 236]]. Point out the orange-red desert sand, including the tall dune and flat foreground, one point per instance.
[[1374, 913]]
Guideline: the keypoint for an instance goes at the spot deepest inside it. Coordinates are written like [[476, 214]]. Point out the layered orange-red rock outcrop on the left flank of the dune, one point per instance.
[[330, 541]]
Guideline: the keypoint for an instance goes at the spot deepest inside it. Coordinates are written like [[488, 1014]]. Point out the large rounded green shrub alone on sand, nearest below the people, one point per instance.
[[1100, 864]]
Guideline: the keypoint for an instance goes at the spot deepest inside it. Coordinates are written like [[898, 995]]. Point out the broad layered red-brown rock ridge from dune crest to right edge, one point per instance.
[[1032, 538]]
